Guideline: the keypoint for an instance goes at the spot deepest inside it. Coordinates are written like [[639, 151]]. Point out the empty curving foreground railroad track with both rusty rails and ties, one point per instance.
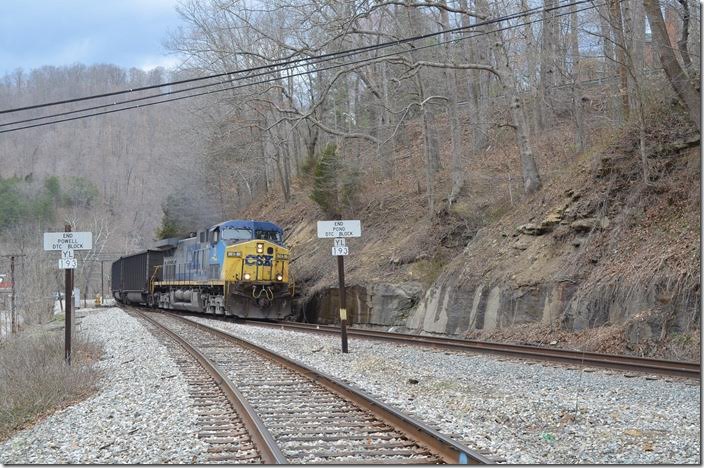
[[310, 416]]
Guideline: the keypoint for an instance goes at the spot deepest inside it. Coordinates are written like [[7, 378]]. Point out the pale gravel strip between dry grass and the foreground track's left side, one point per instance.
[[141, 413]]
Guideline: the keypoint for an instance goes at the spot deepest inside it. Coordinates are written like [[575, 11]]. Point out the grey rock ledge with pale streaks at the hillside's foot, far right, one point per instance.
[[454, 307]]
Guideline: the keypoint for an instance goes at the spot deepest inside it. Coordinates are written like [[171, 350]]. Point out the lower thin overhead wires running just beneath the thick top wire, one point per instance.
[[317, 70]]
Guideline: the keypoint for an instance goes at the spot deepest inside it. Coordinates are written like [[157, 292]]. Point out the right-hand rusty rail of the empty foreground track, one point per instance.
[[449, 450]]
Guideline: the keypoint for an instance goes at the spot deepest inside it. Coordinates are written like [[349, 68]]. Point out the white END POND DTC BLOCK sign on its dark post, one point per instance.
[[338, 231]]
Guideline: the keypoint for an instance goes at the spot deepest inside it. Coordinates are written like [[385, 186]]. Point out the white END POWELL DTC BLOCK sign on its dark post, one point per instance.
[[67, 242]]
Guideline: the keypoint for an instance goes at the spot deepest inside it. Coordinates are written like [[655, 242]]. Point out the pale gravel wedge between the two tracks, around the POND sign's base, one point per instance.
[[522, 412]]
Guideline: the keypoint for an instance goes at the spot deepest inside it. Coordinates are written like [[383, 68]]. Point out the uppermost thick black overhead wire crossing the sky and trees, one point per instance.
[[314, 59]]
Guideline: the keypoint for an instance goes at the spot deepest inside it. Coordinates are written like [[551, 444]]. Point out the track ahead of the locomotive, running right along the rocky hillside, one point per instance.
[[578, 358]]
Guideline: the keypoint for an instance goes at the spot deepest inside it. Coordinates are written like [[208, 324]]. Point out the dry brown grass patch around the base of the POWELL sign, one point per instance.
[[35, 381]]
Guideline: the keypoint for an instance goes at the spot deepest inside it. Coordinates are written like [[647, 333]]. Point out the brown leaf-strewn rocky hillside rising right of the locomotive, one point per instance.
[[597, 259]]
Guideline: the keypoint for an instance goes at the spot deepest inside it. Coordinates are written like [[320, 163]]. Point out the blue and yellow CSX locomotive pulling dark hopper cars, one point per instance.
[[237, 268]]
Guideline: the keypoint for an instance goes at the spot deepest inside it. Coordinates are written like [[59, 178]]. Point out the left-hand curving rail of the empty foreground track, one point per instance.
[[268, 449]]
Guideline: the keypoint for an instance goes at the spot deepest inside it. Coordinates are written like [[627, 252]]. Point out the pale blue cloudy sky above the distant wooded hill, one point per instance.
[[127, 33]]
